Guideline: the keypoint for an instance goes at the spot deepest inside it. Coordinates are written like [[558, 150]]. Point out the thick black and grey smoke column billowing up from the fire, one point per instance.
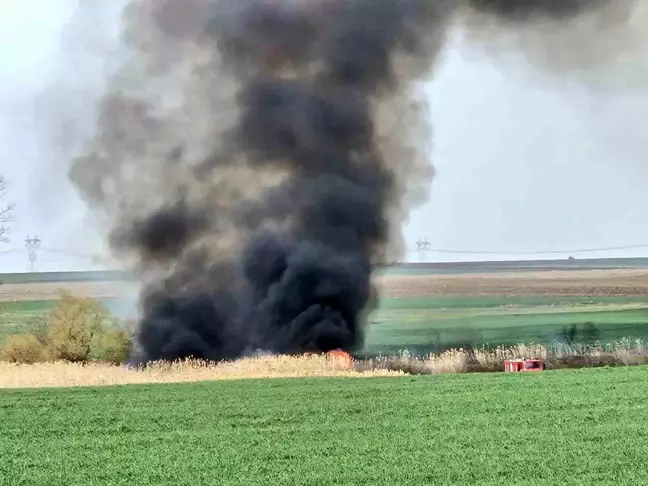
[[255, 156]]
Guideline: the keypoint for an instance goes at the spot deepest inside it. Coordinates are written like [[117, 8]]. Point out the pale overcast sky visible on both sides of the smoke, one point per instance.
[[525, 162]]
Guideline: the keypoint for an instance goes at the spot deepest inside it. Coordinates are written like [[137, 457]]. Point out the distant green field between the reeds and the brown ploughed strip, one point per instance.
[[437, 323]]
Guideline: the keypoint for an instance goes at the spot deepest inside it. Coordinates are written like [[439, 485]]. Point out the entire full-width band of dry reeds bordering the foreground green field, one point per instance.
[[61, 374]]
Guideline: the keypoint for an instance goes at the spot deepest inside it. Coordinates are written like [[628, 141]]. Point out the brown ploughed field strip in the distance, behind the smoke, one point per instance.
[[568, 283]]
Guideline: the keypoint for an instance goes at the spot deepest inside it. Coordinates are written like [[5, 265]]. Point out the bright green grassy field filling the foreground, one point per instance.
[[564, 427]]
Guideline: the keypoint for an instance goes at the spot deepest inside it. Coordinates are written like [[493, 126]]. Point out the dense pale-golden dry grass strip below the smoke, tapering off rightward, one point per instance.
[[61, 374]]
